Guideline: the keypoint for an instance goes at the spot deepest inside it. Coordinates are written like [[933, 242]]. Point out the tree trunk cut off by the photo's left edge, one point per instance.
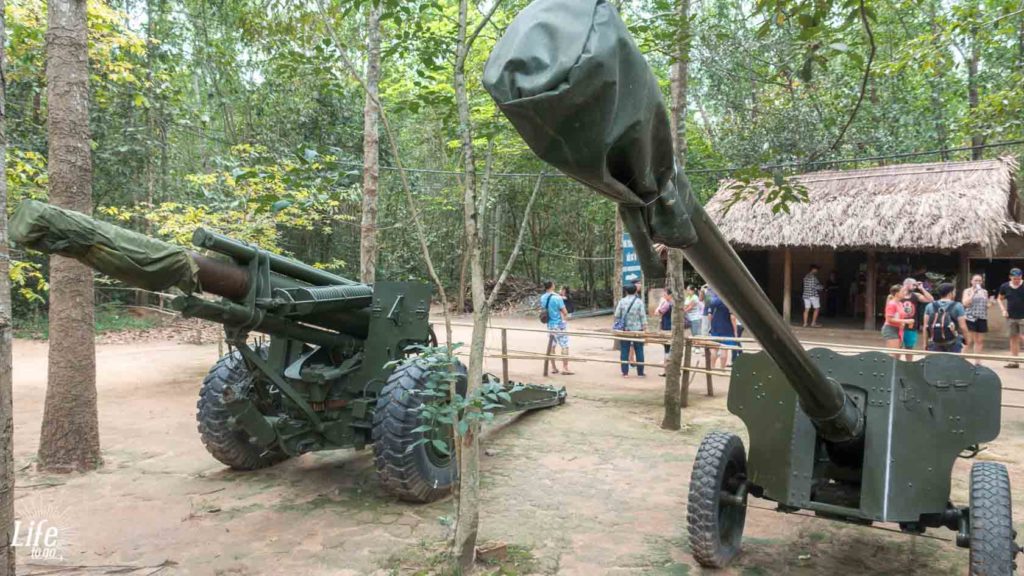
[[7, 403]]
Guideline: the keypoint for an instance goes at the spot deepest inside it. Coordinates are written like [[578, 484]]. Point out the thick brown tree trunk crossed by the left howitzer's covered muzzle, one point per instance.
[[70, 439]]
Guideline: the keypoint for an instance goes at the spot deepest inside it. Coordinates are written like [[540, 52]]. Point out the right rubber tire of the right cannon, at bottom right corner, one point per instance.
[[993, 547]]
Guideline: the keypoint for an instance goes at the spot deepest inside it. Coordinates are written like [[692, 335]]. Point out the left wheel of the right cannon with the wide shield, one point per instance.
[[716, 526]]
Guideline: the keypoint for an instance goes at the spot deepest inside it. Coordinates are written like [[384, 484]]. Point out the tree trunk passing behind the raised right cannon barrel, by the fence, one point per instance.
[[680, 77]]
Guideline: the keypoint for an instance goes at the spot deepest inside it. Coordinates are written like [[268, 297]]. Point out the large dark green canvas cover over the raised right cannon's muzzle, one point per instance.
[[570, 78]]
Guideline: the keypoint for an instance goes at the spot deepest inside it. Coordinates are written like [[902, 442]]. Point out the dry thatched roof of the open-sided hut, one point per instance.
[[910, 208]]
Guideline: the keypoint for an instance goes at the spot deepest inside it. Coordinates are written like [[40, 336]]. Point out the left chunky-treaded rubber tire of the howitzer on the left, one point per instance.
[[224, 441]]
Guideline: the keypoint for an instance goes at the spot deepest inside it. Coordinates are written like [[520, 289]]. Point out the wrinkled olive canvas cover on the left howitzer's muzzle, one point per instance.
[[129, 257]]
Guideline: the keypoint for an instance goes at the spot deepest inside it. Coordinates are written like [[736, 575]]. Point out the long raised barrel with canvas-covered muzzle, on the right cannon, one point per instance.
[[572, 81]]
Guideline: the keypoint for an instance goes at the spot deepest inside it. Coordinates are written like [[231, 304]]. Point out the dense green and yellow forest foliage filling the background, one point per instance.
[[241, 117]]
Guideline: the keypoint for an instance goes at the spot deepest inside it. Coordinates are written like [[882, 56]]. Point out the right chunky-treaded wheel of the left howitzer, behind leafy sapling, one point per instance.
[[423, 474]]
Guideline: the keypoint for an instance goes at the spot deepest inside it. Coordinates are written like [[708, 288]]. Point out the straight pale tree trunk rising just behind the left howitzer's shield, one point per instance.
[[371, 149]]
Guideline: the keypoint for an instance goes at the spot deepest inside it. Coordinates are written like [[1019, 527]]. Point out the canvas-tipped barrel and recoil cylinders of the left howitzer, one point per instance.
[[297, 293]]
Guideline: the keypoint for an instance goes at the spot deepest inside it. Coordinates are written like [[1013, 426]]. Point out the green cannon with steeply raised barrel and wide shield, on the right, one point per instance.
[[860, 439]]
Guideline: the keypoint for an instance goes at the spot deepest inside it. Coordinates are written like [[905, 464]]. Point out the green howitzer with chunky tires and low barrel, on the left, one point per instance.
[[324, 382]]
